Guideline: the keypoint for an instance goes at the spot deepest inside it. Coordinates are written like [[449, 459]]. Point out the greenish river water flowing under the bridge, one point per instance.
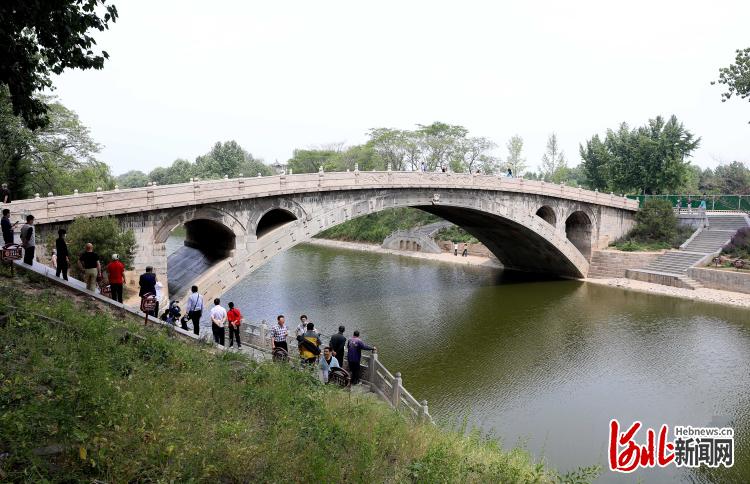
[[544, 365]]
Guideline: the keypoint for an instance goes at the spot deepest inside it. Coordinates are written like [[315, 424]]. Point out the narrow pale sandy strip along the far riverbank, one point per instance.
[[715, 296]]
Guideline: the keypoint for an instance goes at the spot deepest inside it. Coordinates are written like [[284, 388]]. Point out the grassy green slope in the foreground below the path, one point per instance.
[[162, 409]]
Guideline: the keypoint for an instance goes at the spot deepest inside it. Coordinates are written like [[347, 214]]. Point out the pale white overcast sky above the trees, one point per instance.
[[276, 76]]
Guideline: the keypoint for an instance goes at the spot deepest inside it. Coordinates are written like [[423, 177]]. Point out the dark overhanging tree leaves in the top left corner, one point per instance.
[[40, 38]]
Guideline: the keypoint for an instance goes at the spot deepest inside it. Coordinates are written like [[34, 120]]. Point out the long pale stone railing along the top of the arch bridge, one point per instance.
[[53, 209]]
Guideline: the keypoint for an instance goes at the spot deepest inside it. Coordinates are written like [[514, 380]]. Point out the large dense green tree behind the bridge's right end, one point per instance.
[[650, 159]]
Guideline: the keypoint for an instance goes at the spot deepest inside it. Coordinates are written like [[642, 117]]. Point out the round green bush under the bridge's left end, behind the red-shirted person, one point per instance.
[[106, 235]]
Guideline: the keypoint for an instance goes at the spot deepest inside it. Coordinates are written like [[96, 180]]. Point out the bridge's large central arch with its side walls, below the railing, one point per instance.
[[506, 223]]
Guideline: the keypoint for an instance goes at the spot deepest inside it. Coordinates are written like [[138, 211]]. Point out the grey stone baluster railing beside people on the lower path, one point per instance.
[[382, 382]]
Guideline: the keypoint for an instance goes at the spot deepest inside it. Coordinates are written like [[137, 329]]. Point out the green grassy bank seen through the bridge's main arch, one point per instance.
[[374, 228]]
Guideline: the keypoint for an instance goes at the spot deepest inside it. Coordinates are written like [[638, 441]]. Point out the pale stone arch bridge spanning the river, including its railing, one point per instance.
[[239, 224]]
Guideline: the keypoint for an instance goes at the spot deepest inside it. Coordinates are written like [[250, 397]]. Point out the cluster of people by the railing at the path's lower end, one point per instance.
[[331, 356]]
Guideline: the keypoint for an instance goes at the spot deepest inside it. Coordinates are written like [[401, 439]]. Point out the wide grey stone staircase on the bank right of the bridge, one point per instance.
[[671, 267]]
